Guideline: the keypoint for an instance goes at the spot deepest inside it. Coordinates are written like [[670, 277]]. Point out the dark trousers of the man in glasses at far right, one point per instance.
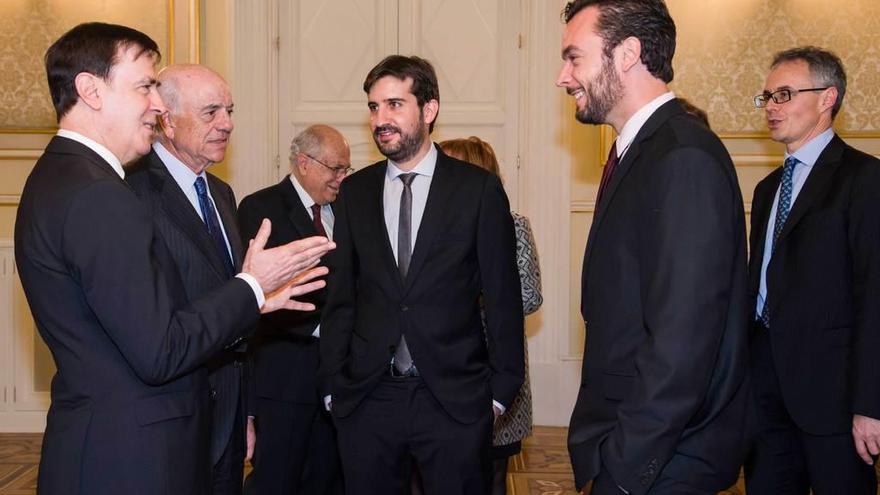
[[784, 459]]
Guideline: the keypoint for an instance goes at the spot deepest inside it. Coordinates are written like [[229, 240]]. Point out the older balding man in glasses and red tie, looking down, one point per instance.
[[292, 428]]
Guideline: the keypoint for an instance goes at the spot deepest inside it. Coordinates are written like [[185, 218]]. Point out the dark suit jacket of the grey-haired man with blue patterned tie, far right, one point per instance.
[[823, 287]]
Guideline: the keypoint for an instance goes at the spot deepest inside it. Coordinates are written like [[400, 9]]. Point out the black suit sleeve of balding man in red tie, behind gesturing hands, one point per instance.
[[284, 322]]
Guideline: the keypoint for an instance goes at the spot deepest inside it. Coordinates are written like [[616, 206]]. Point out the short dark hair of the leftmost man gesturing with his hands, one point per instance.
[[91, 47]]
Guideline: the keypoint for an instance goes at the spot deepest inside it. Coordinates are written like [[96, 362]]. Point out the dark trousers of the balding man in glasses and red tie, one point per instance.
[[295, 451]]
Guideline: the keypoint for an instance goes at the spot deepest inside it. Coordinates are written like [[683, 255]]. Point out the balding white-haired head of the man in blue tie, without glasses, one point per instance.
[[197, 126]]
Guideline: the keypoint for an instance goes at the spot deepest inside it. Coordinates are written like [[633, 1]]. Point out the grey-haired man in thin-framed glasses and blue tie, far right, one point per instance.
[[814, 277]]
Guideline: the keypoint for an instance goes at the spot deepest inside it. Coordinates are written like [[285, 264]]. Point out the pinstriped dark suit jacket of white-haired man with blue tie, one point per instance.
[[201, 269]]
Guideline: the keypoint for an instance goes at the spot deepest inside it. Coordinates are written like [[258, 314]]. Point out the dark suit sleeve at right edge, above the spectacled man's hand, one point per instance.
[[864, 239]]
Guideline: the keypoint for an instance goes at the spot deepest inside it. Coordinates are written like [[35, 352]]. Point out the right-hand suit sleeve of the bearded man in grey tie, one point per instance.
[[502, 298]]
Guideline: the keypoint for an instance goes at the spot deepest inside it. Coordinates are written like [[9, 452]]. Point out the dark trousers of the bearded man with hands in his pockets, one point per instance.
[[401, 422]]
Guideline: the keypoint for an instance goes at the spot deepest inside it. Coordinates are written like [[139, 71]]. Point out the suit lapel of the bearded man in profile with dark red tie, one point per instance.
[[658, 118]]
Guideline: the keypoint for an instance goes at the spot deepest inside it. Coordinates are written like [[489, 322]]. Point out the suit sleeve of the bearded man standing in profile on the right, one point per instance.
[[690, 240]]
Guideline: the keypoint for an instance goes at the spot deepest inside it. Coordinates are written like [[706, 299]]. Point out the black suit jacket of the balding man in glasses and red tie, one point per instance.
[[285, 358]]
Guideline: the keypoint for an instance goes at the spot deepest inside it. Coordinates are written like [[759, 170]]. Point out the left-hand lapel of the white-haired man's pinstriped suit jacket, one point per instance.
[[181, 212]]
